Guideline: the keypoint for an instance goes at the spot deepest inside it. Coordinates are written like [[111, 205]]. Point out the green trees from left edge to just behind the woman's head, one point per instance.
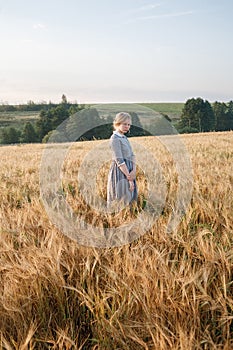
[[81, 118]]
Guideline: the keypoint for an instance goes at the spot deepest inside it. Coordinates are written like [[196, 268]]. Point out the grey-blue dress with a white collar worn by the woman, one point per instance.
[[118, 184]]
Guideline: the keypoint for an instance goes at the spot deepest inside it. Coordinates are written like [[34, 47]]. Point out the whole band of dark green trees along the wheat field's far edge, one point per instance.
[[197, 115]]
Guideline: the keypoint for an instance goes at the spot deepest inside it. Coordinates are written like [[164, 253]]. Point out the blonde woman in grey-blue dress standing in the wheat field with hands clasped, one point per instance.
[[121, 179]]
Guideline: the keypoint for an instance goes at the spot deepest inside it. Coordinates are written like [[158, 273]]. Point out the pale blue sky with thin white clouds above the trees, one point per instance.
[[111, 51]]
